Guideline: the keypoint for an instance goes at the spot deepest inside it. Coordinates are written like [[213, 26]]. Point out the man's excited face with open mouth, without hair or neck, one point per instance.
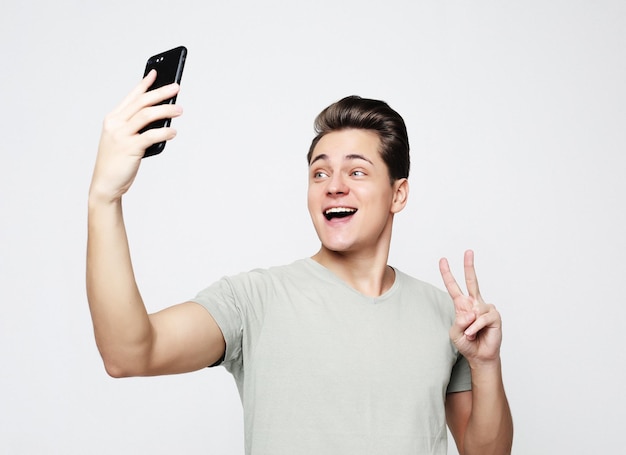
[[350, 198]]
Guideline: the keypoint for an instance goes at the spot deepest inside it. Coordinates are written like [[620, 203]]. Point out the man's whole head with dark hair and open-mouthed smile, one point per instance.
[[358, 168]]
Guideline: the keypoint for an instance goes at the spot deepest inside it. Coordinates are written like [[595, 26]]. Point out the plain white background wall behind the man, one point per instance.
[[516, 113]]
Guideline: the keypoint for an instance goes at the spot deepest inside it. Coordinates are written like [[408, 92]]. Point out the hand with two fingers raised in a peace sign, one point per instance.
[[477, 328]]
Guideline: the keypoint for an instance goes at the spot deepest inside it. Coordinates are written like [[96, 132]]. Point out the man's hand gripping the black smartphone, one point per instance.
[[122, 145]]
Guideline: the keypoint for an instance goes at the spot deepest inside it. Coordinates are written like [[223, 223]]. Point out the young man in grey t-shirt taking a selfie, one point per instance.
[[335, 354]]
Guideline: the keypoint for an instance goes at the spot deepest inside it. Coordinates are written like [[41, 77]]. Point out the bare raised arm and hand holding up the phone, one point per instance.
[[133, 343]]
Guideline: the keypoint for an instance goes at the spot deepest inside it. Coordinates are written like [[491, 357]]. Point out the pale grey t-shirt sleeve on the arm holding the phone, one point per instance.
[[220, 301]]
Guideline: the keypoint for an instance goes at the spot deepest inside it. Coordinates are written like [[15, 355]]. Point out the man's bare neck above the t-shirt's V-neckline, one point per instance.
[[368, 274]]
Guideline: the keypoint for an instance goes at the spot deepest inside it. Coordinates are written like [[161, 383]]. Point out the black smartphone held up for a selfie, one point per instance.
[[169, 67]]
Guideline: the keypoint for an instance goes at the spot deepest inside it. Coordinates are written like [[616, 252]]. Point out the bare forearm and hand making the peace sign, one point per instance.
[[480, 420]]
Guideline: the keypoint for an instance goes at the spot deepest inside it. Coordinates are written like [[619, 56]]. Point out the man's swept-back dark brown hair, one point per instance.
[[354, 112]]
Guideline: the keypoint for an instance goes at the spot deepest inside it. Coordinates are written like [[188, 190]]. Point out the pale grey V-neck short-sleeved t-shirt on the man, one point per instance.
[[323, 369]]
